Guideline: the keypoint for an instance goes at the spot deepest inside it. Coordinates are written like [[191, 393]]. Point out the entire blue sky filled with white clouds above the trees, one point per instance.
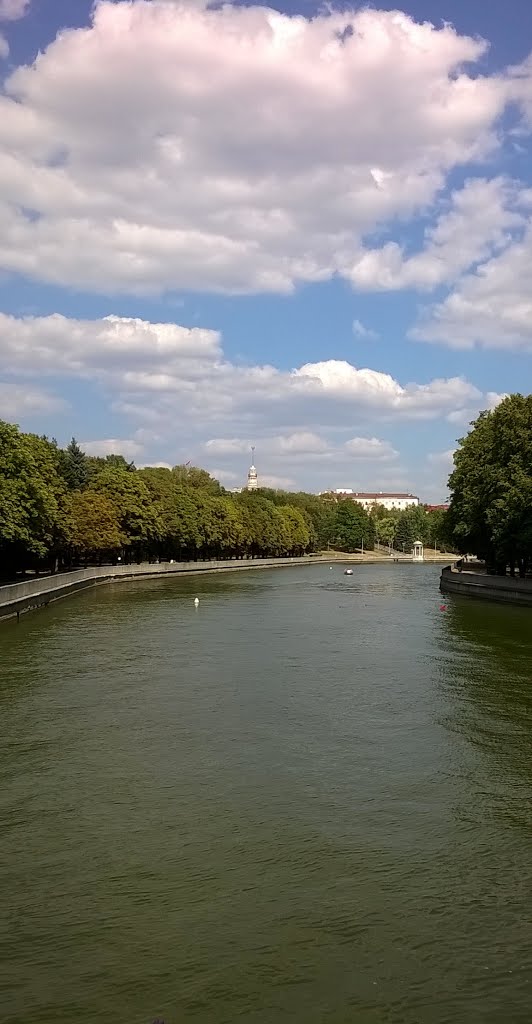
[[302, 228]]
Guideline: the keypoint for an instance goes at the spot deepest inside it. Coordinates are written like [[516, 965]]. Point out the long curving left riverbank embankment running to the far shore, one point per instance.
[[18, 599]]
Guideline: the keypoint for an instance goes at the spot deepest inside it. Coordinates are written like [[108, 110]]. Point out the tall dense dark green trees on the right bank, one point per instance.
[[491, 514]]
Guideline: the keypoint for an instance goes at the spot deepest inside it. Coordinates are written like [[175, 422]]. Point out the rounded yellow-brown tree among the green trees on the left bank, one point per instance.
[[94, 525]]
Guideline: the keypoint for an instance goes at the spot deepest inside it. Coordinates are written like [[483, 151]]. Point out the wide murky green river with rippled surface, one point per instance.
[[308, 800]]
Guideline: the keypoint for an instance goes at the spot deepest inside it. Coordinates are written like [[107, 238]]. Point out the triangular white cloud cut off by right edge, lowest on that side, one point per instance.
[[492, 309]]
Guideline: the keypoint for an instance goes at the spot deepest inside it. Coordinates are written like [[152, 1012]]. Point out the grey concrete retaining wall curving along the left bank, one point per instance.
[[20, 598]]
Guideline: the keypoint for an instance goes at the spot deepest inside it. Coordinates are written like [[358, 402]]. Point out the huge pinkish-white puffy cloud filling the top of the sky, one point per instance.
[[176, 184]]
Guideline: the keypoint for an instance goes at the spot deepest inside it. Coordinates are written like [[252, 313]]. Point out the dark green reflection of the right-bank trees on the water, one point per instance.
[[485, 665]]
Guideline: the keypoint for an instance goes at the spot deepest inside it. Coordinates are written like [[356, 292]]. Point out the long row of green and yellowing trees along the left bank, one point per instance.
[[62, 507]]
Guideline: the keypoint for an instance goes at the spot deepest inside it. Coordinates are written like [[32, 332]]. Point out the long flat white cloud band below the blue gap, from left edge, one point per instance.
[[167, 371]]
